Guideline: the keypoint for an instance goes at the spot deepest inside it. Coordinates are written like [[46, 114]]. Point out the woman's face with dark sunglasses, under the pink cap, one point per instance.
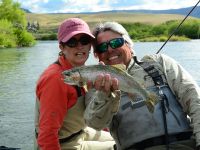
[[76, 49]]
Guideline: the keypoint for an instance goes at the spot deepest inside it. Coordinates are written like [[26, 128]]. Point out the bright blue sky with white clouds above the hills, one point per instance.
[[76, 6]]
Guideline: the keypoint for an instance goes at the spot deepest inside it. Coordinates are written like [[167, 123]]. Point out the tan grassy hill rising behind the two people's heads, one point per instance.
[[52, 21]]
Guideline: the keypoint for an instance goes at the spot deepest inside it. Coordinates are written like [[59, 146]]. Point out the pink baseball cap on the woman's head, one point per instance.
[[71, 27]]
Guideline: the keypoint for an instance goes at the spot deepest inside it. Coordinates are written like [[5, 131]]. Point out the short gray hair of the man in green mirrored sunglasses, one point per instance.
[[115, 27]]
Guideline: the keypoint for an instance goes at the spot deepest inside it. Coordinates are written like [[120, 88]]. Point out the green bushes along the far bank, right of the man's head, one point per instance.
[[190, 29]]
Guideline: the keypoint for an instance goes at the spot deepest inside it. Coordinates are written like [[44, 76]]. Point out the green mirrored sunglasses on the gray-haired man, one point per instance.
[[114, 43]]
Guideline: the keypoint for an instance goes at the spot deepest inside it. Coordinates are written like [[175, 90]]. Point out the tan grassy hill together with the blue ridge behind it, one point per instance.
[[52, 20]]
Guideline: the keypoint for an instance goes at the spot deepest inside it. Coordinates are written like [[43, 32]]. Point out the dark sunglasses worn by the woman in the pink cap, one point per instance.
[[73, 42]]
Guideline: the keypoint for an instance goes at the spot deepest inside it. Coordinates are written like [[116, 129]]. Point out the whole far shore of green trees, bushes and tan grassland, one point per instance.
[[21, 29]]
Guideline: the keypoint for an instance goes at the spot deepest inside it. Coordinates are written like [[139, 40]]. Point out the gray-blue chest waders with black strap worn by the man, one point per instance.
[[134, 123]]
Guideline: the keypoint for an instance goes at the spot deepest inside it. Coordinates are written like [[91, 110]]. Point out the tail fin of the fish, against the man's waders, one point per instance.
[[151, 101]]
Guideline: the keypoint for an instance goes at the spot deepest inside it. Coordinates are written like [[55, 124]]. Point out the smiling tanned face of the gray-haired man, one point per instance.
[[111, 56]]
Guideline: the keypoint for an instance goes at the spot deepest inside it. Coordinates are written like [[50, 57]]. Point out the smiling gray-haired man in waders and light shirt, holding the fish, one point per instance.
[[132, 125]]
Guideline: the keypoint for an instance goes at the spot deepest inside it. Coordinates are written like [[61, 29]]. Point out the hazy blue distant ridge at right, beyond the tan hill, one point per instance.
[[181, 11]]
